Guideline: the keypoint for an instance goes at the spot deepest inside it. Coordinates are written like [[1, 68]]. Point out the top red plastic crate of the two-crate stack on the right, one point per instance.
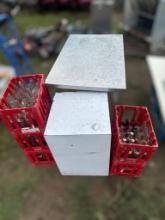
[[135, 152]]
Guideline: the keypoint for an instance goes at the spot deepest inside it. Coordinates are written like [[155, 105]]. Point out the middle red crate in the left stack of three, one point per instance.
[[32, 141]]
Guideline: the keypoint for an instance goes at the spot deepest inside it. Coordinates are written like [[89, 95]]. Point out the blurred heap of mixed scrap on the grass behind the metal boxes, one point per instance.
[[46, 41]]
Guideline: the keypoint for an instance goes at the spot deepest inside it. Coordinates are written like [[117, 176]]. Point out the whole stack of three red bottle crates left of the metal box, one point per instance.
[[24, 109]]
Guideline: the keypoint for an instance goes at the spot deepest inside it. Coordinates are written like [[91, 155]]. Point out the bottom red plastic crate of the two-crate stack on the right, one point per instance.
[[126, 169]]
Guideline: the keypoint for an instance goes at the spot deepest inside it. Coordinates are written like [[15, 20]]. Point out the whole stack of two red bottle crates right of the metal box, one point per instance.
[[133, 141]]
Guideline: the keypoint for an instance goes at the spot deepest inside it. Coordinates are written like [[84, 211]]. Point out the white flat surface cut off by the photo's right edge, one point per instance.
[[157, 66]]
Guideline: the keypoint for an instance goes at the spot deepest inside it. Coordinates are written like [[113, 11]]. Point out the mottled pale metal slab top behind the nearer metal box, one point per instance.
[[90, 62]]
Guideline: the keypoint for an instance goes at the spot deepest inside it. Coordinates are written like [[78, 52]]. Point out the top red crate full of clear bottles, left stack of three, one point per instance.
[[25, 104]]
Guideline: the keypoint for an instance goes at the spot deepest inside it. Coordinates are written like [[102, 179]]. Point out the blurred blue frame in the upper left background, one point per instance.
[[12, 47]]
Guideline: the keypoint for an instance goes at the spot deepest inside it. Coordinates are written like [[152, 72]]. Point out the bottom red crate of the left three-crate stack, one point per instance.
[[42, 157]]
